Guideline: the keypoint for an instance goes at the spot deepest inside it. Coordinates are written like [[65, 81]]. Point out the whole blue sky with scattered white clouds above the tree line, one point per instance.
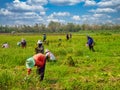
[[30, 12]]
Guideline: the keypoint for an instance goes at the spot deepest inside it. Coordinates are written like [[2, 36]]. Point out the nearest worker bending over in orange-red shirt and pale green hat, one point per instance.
[[38, 60]]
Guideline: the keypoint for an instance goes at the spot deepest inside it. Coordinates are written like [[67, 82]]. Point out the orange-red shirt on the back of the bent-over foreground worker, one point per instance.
[[39, 59]]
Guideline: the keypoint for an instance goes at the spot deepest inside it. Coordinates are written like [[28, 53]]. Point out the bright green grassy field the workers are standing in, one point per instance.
[[99, 70]]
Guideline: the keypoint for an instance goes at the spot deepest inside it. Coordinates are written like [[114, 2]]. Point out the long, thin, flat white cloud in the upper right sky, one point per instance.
[[103, 10]]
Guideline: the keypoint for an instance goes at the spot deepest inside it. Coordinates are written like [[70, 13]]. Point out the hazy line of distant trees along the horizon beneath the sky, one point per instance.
[[57, 27]]
